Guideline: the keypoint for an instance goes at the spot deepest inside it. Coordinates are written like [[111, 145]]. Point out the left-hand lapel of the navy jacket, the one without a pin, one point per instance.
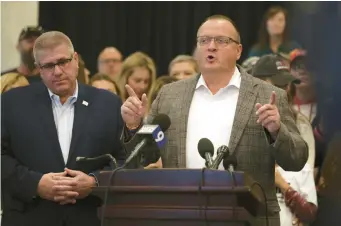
[[44, 106]]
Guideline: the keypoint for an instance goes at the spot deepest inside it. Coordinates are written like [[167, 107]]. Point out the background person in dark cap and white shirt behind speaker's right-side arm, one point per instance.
[[296, 191]]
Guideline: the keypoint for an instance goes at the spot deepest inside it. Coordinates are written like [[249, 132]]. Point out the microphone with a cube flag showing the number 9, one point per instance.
[[154, 133]]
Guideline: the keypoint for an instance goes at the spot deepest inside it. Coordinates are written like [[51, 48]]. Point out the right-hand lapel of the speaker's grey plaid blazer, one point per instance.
[[245, 106]]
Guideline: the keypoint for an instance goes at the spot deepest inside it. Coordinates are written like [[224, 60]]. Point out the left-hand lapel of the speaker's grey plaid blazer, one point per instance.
[[189, 89]]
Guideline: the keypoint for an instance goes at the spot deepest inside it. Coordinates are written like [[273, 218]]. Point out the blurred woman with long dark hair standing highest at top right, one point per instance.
[[273, 34]]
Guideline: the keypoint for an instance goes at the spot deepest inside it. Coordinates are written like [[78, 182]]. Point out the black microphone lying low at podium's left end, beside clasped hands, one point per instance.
[[88, 165]]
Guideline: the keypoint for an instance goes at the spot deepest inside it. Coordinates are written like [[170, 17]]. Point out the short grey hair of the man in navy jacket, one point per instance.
[[50, 40]]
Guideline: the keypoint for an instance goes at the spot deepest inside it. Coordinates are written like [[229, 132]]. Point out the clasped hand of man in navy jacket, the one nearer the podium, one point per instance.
[[83, 186]]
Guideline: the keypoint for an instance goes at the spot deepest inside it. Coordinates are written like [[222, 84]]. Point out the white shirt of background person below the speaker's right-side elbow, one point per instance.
[[303, 183]]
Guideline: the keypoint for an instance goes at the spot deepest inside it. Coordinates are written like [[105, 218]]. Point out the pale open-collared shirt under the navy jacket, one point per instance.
[[63, 117]]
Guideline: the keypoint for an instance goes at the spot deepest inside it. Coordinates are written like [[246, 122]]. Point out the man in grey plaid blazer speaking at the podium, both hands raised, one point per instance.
[[228, 106]]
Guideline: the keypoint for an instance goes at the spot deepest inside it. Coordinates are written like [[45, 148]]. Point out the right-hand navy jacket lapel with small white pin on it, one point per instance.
[[80, 114]]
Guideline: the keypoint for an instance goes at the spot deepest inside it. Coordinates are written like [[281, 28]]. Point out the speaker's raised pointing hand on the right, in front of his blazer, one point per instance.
[[268, 116]]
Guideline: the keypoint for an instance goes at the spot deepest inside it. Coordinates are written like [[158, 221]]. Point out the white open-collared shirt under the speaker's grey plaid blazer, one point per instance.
[[211, 116]]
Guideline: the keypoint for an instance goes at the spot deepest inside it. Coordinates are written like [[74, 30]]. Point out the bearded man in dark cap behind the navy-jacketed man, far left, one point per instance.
[[26, 40]]
